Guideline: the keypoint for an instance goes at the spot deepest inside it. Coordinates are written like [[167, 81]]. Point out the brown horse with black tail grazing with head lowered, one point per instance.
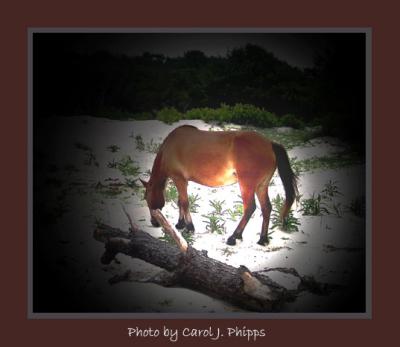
[[217, 159]]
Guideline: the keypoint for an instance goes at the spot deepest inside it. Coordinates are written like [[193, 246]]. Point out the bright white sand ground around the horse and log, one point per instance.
[[307, 250]]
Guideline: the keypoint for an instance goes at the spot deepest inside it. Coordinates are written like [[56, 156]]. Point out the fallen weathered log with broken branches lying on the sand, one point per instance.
[[187, 267]]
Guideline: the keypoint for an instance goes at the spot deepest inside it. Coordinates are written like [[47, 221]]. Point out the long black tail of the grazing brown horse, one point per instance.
[[288, 177]]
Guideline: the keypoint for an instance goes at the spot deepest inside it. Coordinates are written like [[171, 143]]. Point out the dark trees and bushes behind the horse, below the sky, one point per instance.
[[331, 94]]
